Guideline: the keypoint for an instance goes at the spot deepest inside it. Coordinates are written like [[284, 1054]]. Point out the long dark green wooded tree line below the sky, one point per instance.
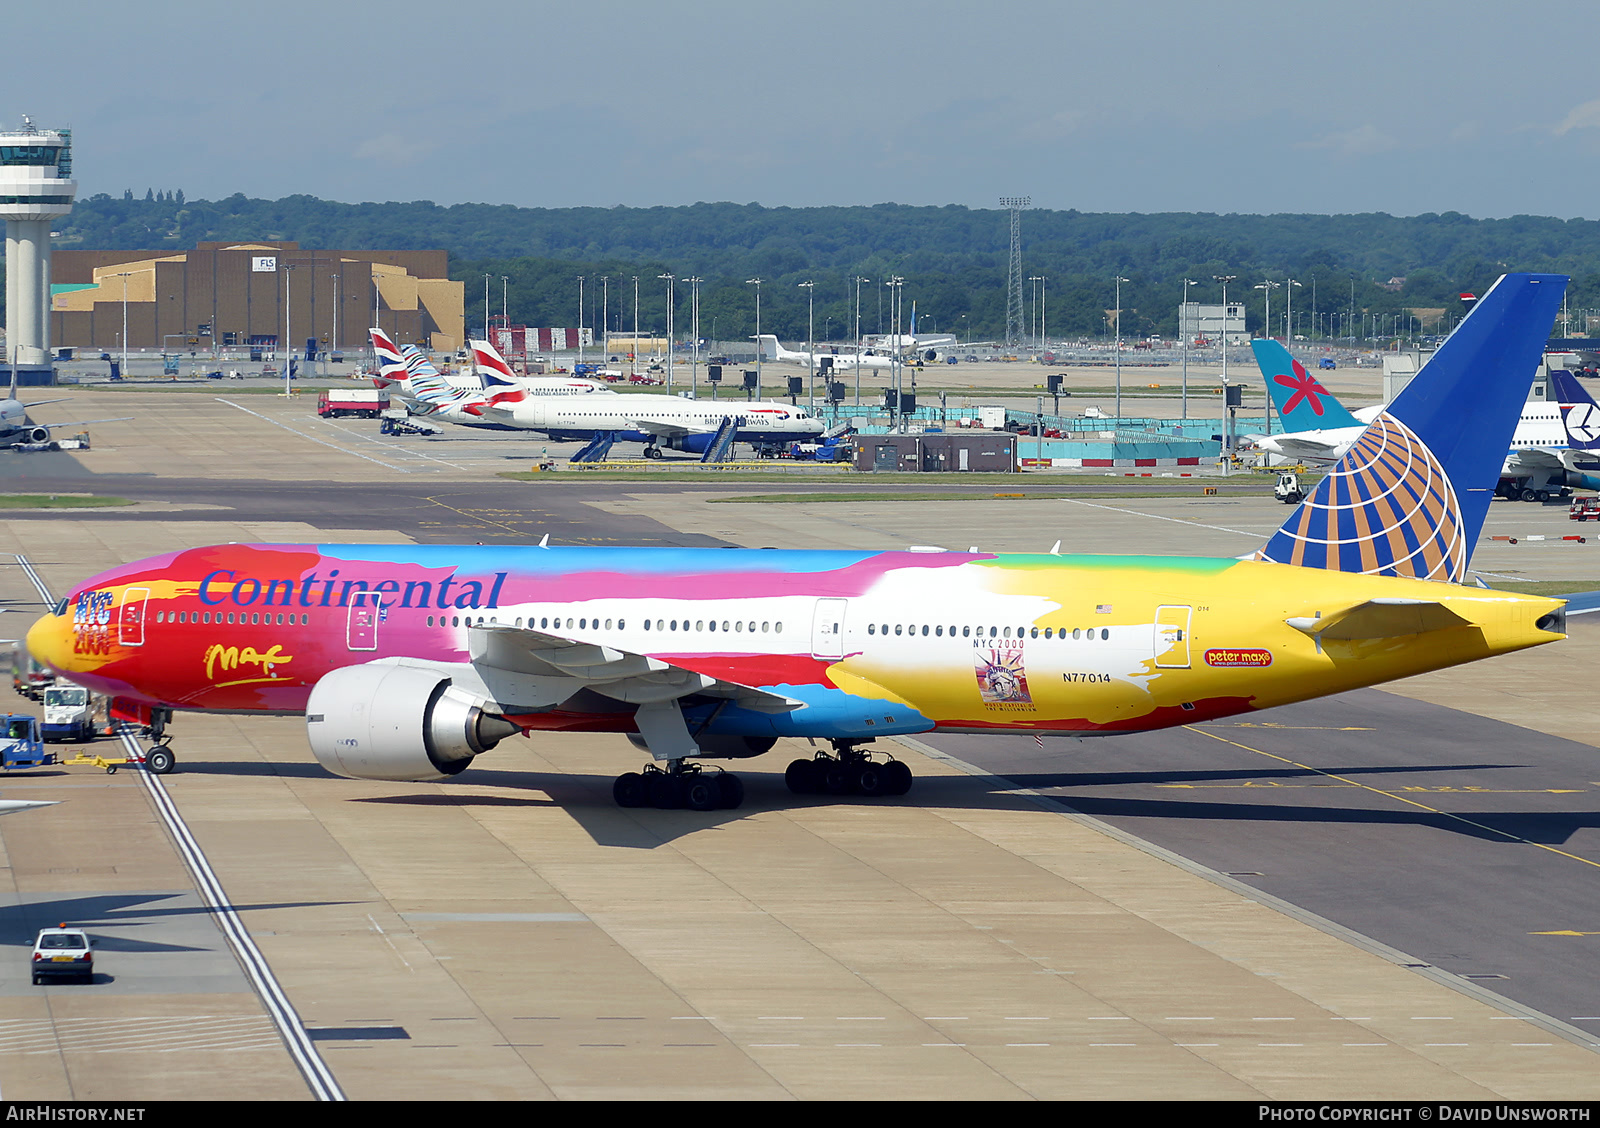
[[953, 260]]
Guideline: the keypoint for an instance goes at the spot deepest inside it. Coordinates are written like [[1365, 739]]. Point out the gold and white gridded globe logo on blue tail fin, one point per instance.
[[1386, 510]]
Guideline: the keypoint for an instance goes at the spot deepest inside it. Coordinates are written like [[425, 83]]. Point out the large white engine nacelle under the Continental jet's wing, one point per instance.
[[398, 722]]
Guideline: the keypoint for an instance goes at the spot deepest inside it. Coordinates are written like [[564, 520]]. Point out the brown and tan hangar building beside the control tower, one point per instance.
[[233, 295]]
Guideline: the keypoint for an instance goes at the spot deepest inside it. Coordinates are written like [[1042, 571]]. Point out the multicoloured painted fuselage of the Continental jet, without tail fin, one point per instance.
[[850, 642]]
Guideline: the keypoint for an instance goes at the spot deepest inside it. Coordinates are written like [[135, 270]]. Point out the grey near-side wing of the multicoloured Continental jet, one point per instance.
[[537, 670]]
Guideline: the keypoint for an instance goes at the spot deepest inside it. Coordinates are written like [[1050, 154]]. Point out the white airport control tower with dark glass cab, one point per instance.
[[36, 190]]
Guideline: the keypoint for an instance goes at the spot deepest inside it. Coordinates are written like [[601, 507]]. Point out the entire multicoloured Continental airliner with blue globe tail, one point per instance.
[[412, 662]]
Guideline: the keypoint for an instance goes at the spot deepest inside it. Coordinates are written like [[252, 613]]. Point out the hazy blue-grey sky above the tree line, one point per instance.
[[1143, 106]]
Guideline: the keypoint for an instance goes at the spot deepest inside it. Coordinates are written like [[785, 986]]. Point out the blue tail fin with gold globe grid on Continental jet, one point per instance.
[[1410, 497]]
